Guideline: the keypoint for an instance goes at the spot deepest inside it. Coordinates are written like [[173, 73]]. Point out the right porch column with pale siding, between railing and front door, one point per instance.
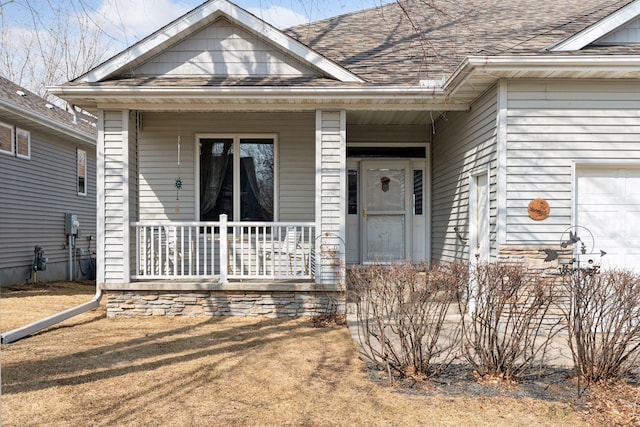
[[331, 199]]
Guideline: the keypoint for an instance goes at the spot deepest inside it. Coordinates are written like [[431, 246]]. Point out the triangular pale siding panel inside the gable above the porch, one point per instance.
[[224, 49]]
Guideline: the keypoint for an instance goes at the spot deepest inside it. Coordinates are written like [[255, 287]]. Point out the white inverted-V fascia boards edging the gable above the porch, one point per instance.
[[204, 14]]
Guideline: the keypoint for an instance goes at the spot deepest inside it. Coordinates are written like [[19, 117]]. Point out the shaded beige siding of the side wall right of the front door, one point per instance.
[[463, 143]]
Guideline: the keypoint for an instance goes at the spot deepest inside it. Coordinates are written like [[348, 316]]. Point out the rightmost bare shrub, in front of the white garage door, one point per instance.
[[603, 318]]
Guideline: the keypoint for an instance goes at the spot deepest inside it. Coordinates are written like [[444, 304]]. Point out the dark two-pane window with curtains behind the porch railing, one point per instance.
[[237, 178]]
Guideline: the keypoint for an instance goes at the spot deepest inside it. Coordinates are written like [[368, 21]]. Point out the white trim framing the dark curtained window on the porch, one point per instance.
[[236, 149]]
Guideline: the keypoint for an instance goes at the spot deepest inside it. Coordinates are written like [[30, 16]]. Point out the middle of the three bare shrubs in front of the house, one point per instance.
[[506, 328]]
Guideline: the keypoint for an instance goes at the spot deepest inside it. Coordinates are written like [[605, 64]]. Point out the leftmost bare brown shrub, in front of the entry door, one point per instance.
[[401, 312]]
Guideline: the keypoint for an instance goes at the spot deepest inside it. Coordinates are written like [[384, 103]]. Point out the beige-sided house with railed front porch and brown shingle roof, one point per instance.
[[242, 168]]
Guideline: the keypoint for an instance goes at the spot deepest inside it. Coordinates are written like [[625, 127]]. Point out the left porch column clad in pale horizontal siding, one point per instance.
[[113, 245]]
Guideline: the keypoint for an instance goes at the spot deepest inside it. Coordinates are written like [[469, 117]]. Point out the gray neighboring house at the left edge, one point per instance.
[[47, 169]]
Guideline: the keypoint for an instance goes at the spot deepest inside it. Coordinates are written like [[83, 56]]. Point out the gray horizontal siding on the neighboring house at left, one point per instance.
[[35, 194]]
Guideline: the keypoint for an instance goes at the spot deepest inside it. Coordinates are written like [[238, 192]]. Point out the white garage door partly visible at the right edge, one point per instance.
[[609, 206]]
